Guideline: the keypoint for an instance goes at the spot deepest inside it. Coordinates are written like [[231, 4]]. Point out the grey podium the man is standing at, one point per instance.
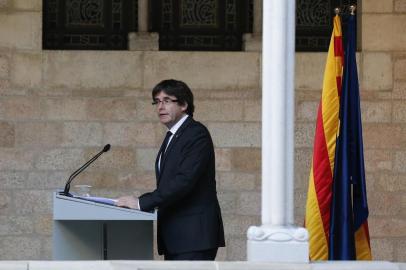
[[86, 230]]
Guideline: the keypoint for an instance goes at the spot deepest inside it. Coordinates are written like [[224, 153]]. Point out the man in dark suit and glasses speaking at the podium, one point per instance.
[[190, 226]]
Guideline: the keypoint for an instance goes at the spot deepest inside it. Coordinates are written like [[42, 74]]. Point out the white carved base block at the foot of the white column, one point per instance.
[[278, 244]]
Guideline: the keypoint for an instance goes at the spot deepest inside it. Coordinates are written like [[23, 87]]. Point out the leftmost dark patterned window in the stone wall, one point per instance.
[[88, 24]]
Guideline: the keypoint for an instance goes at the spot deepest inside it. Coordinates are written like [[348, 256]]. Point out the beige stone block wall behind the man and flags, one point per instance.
[[58, 108]]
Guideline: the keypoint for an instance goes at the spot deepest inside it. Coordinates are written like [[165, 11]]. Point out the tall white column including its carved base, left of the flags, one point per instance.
[[277, 239]]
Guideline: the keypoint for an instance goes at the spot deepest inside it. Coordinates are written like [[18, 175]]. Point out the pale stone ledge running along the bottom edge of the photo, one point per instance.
[[145, 265]]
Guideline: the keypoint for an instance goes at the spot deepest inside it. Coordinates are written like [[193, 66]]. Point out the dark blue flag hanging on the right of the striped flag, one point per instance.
[[349, 208]]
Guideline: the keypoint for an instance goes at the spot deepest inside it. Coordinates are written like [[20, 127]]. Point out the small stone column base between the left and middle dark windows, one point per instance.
[[143, 41]]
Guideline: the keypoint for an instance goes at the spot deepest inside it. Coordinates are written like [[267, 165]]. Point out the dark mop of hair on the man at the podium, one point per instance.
[[177, 89]]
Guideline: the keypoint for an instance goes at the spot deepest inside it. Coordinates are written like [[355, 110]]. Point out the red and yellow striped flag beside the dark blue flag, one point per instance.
[[317, 220]]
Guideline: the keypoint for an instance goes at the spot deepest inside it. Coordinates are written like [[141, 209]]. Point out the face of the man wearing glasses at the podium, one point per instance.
[[169, 111]]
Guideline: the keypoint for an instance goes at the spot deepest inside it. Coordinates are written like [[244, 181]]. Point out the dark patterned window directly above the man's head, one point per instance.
[[213, 25]]
